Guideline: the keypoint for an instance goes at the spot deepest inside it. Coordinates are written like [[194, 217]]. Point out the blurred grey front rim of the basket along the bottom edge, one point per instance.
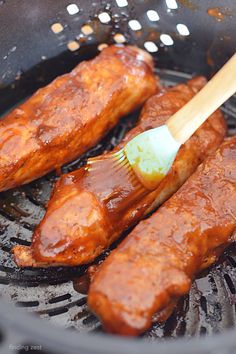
[[53, 338]]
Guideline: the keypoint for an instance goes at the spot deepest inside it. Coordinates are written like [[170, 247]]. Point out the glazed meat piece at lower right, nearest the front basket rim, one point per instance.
[[157, 262]]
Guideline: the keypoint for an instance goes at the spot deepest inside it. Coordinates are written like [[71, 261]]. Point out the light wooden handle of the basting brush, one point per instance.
[[189, 118]]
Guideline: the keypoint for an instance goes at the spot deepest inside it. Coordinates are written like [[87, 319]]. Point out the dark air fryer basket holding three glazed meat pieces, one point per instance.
[[41, 39]]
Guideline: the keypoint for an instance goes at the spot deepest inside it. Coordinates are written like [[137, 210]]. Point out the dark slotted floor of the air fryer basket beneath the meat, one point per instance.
[[209, 308]]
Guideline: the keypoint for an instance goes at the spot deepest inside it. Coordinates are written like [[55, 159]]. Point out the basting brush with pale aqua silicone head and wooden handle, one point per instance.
[[150, 155]]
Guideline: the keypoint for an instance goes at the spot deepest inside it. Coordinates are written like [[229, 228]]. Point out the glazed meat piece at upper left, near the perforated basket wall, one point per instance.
[[70, 115]]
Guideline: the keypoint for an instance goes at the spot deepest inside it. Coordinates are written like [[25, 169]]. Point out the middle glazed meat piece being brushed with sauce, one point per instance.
[[88, 211]]
